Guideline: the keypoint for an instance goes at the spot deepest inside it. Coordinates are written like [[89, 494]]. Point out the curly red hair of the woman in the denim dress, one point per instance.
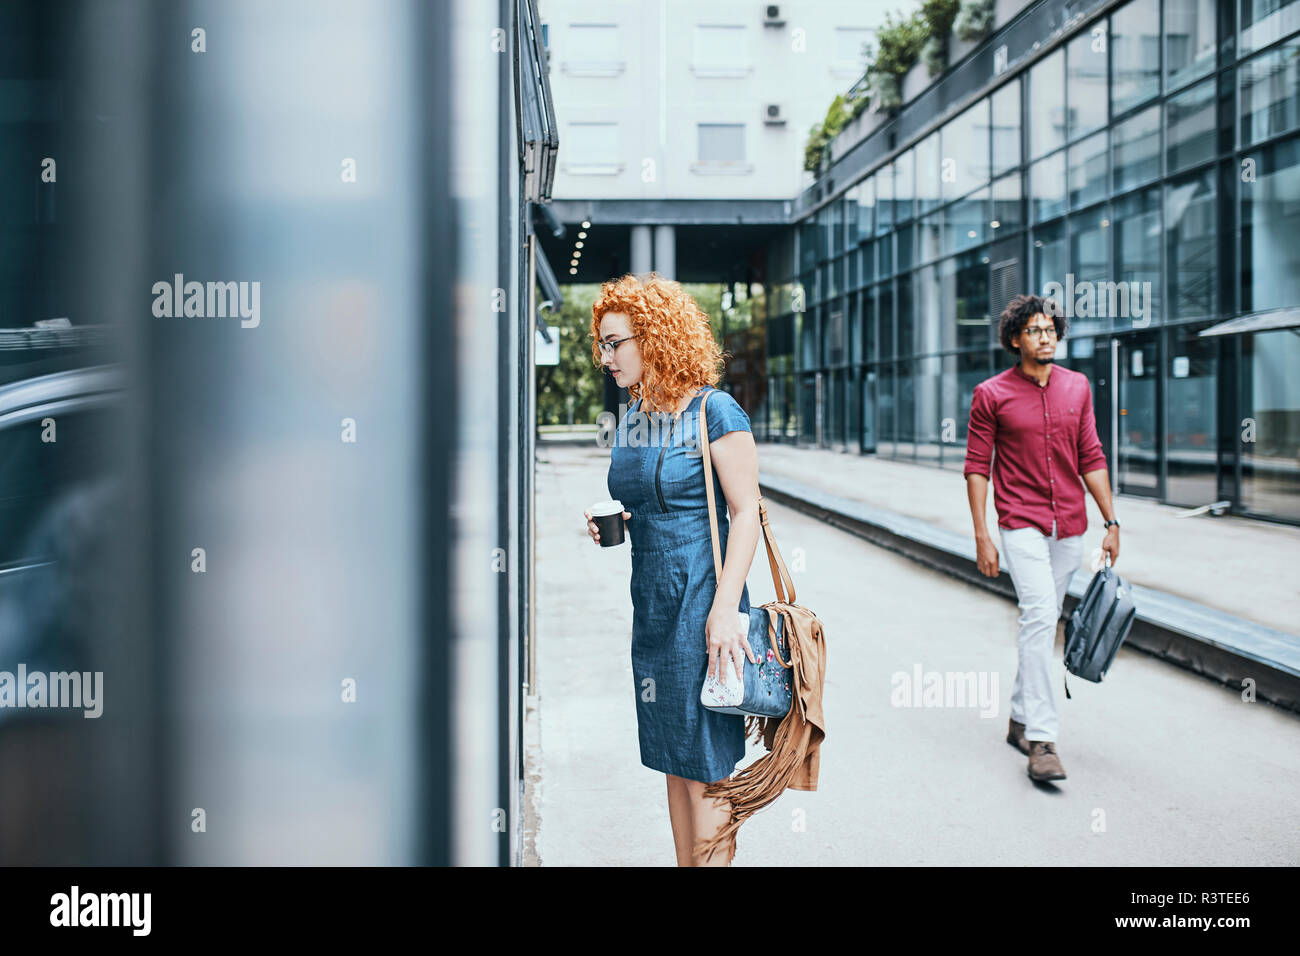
[[678, 349]]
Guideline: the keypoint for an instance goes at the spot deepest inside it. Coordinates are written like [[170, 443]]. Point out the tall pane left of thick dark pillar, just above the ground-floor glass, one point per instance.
[[1191, 239]]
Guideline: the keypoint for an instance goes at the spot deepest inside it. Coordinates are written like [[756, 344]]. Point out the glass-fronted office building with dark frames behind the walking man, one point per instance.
[[1146, 153]]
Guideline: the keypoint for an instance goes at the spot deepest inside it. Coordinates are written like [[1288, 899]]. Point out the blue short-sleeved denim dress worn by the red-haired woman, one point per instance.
[[656, 470]]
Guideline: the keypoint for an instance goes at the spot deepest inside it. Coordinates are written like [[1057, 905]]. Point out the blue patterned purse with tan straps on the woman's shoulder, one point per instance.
[[765, 690]]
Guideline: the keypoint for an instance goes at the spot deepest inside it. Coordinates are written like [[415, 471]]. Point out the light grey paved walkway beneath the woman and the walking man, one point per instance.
[[1165, 768]]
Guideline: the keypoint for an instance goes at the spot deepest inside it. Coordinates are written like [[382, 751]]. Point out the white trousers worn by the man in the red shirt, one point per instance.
[[1041, 568]]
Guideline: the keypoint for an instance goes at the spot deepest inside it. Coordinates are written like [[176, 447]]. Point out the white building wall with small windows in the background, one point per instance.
[[652, 72]]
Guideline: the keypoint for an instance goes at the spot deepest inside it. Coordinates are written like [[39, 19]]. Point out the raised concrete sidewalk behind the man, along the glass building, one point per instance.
[[1241, 566]]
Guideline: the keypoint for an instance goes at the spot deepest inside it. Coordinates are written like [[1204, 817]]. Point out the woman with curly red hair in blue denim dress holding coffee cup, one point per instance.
[[656, 341]]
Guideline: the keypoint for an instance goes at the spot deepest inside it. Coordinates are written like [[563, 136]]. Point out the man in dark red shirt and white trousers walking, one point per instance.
[[1041, 421]]
